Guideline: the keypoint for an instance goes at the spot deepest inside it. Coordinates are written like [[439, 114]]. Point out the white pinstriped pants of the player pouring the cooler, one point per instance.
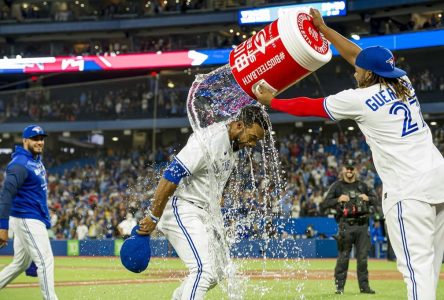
[[416, 231]]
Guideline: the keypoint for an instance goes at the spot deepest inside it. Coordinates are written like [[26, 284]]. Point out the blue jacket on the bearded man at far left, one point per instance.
[[24, 193]]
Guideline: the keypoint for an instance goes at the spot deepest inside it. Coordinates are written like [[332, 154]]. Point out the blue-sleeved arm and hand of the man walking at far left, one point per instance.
[[15, 176]]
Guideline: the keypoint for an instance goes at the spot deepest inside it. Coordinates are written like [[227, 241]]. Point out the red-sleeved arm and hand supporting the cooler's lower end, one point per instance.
[[300, 106]]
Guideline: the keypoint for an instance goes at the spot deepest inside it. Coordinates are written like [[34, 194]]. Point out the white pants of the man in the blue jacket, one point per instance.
[[31, 243]]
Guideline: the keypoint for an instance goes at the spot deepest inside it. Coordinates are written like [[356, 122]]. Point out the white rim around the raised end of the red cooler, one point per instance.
[[296, 45]]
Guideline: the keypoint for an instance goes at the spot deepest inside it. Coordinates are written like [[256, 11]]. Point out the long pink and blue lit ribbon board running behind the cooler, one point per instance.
[[185, 59]]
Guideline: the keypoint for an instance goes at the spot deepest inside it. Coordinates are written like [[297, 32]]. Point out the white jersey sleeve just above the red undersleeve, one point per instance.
[[344, 105]]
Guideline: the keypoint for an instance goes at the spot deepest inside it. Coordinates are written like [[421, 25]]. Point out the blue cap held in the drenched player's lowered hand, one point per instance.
[[135, 253]]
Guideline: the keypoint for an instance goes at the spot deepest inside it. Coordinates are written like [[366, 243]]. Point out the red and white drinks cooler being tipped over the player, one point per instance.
[[281, 54]]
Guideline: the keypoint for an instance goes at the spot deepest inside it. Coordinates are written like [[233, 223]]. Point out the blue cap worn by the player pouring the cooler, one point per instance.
[[380, 61]]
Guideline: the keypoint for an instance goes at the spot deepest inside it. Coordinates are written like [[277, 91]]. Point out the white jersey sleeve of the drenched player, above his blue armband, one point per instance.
[[191, 157]]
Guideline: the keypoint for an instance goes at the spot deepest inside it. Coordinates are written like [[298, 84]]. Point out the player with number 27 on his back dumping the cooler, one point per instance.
[[387, 111]]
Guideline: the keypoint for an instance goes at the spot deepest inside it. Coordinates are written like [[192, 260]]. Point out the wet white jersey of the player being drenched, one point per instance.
[[196, 187]]
